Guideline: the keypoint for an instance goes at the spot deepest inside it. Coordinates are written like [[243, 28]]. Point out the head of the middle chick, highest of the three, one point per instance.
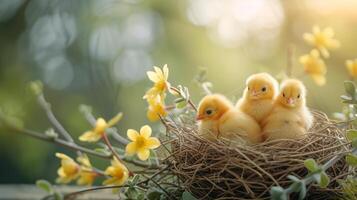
[[261, 86]]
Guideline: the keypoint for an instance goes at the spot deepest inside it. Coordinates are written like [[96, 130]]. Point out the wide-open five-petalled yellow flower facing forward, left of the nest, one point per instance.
[[141, 143]]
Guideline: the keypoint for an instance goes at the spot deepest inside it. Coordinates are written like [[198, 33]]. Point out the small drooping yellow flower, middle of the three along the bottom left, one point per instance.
[[86, 175]]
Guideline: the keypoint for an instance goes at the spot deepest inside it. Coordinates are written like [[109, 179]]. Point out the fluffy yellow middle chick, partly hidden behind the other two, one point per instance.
[[259, 95]]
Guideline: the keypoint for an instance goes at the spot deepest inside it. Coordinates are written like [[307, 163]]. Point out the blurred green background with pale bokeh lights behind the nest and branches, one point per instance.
[[96, 52]]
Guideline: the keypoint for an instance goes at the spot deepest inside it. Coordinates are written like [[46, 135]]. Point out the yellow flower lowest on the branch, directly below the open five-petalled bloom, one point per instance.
[[118, 173]]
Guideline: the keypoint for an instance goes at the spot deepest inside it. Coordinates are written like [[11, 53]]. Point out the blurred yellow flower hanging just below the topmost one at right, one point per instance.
[[314, 66]]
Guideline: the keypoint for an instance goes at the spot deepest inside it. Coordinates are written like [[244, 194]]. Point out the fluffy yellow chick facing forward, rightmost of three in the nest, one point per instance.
[[290, 118]]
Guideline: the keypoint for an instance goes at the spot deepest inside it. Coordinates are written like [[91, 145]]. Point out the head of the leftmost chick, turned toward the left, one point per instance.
[[212, 107]]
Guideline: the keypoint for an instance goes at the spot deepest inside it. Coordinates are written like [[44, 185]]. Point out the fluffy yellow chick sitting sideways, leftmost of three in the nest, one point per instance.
[[219, 119]]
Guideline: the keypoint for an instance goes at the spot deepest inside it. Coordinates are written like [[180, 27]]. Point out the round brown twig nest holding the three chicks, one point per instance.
[[211, 170]]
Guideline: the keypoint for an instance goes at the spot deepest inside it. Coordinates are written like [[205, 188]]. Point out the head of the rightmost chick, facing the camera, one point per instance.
[[292, 93]]
